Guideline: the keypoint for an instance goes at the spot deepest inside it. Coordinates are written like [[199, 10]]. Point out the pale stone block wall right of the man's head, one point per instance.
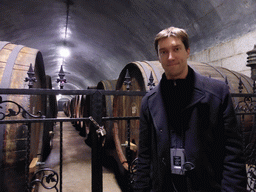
[[231, 54]]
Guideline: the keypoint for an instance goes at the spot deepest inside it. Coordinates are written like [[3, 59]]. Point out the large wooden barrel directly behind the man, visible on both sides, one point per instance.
[[130, 105]]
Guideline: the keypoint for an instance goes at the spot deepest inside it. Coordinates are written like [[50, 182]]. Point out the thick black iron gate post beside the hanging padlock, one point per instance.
[[96, 111]]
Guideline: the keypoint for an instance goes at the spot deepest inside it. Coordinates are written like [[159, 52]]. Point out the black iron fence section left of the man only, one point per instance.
[[49, 178]]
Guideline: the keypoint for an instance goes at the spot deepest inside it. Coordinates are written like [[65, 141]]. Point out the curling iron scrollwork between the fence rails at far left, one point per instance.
[[20, 109]]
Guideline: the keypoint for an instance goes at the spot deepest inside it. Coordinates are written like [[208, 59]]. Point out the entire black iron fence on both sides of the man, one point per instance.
[[245, 111]]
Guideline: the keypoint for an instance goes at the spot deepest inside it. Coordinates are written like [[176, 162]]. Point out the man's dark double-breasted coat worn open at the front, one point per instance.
[[212, 142]]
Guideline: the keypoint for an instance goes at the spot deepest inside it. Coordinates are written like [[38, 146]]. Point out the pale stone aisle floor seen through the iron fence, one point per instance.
[[76, 163]]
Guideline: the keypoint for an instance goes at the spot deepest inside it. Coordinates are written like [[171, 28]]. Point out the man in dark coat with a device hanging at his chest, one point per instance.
[[188, 138]]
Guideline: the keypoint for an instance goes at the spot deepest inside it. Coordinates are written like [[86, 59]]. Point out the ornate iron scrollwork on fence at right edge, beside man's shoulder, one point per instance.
[[248, 105]]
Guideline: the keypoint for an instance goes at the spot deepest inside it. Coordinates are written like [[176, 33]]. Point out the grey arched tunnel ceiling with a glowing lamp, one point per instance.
[[102, 36]]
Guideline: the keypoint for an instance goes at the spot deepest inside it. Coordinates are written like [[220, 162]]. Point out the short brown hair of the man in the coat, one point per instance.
[[175, 32]]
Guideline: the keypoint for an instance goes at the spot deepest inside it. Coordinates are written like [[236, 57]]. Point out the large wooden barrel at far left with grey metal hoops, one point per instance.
[[15, 61]]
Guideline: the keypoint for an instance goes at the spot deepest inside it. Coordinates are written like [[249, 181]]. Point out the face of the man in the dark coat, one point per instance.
[[173, 57]]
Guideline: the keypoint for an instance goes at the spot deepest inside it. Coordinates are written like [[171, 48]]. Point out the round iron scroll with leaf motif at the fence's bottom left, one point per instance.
[[49, 179]]
